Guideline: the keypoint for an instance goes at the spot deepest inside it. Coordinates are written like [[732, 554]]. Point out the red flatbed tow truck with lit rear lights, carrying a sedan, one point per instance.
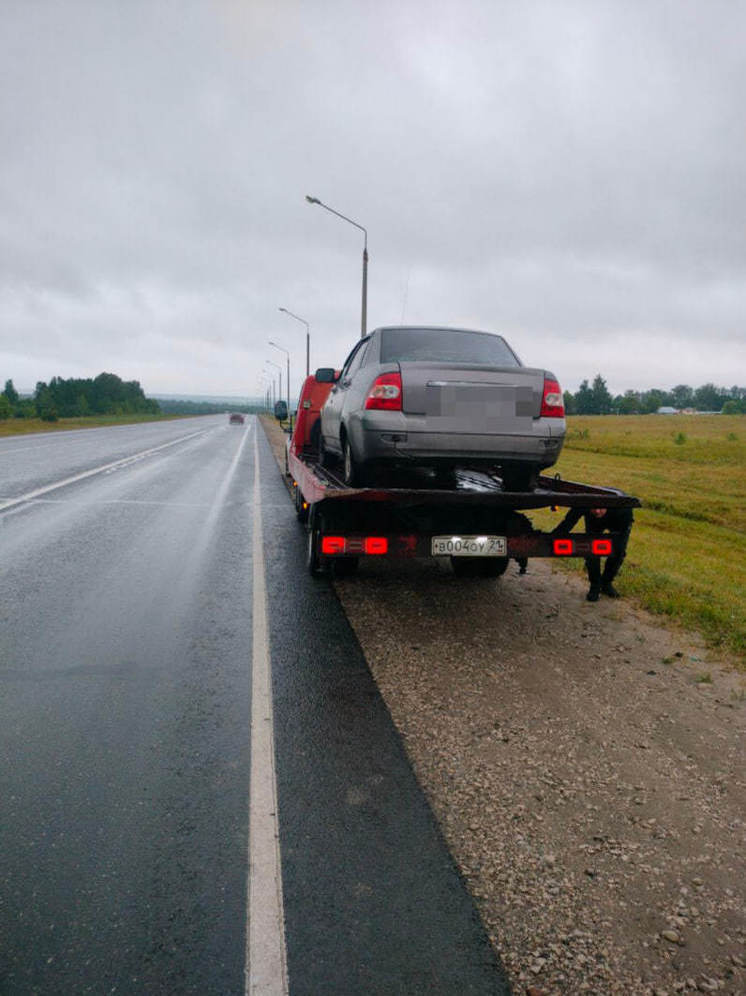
[[476, 523]]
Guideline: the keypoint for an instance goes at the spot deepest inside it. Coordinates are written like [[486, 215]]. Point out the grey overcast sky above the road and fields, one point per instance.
[[570, 174]]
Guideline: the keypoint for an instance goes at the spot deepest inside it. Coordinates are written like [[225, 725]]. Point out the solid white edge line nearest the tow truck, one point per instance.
[[266, 959]]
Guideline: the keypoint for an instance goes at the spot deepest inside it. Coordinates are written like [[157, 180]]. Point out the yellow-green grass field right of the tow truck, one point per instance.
[[687, 554]]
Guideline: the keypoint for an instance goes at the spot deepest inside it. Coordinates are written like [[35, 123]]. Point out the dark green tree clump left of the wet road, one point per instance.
[[106, 394]]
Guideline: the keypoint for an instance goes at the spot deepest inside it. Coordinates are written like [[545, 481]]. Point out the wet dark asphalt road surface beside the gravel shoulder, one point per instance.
[[126, 620]]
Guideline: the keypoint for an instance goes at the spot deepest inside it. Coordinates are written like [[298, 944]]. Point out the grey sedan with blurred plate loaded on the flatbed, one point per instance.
[[441, 398]]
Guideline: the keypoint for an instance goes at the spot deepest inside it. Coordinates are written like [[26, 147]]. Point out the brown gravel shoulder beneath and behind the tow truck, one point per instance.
[[586, 765]]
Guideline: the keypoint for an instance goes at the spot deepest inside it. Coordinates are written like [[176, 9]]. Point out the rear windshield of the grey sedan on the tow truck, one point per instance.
[[446, 346]]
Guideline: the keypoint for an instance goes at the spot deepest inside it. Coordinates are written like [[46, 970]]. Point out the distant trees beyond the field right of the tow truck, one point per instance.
[[596, 399]]
